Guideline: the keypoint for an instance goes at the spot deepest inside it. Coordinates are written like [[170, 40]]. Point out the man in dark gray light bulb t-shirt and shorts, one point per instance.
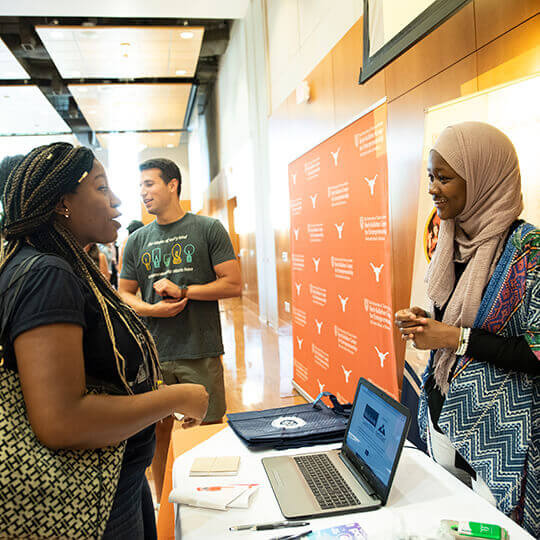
[[182, 264]]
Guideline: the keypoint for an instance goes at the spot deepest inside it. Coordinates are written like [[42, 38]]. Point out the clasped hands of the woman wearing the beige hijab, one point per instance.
[[426, 333]]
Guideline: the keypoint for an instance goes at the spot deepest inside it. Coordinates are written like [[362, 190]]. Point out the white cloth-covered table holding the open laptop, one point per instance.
[[423, 493]]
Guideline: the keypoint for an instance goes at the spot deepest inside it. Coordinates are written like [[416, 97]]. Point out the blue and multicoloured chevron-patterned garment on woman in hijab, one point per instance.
[[492, 416]]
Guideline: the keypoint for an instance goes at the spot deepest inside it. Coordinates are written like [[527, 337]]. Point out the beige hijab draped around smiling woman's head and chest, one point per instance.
[[486, 159]]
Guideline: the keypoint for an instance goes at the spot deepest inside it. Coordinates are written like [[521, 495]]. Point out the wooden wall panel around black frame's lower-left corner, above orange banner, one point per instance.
[[350, 98]]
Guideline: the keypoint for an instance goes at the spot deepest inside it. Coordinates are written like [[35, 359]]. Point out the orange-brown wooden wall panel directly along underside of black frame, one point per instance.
[[445, 46]]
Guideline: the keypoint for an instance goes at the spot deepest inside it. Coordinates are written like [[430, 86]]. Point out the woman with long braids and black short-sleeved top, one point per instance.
[[87, 365]]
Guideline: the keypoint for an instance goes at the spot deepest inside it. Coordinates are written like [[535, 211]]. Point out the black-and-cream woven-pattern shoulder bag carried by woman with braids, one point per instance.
[[47, 493]]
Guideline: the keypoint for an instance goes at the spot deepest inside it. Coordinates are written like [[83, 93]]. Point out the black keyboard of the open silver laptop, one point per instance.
[[329, 488]]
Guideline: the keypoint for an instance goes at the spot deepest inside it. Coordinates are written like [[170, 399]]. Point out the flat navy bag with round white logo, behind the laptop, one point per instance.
[[293, 427]]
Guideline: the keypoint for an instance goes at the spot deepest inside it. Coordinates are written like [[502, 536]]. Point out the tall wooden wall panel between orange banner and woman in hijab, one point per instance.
[[405, 142]]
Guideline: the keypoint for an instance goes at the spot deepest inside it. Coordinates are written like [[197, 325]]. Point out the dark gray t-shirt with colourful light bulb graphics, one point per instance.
[[185, 252]]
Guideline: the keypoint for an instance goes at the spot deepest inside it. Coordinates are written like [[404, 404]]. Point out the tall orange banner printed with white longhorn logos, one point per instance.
[[340, 258]]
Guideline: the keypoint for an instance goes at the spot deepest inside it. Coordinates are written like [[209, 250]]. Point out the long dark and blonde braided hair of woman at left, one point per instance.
[[31, 194]]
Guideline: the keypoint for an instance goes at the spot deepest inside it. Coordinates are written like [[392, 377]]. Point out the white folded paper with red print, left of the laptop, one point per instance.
[[216, 498]]
